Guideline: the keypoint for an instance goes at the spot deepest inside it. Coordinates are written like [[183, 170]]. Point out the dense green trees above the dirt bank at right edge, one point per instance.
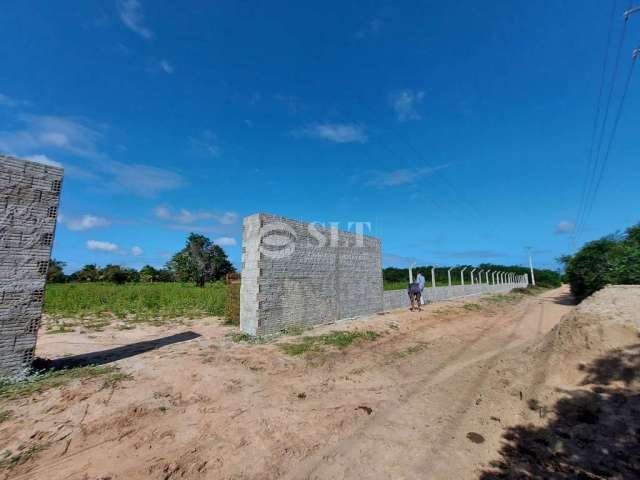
[[614, 259]]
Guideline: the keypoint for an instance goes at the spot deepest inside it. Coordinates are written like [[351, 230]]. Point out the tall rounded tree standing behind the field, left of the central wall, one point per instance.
[[200, 261]]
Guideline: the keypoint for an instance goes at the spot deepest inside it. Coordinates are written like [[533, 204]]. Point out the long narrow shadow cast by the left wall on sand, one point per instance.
[[114, 354]]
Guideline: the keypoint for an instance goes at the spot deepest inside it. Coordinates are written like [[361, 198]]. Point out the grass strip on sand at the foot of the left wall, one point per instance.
[[40, 382]]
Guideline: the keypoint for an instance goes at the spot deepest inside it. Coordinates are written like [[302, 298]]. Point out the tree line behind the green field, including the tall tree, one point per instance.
[[200, 261]]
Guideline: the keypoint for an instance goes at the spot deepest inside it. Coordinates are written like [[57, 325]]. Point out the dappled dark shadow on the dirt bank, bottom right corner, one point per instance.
[[595, 432]]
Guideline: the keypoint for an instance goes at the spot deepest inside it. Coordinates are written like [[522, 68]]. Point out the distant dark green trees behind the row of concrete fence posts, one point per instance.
[[544, 277]]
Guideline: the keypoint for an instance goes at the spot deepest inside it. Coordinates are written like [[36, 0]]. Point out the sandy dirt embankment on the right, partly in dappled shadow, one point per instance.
[[585, 389]]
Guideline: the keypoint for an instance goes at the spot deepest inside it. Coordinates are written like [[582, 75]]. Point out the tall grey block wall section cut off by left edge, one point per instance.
[[29, 197]]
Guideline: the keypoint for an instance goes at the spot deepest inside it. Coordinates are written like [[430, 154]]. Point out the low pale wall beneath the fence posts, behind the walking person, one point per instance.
[[394, 299]]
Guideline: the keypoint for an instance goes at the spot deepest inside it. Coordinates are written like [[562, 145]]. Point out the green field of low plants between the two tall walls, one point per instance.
[[138, 301]]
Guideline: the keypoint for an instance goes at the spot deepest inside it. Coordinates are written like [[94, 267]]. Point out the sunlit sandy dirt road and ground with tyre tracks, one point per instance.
[[430, 398]]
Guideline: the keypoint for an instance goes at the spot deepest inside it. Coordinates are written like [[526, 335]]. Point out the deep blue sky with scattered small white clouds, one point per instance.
[[461, 132]]
